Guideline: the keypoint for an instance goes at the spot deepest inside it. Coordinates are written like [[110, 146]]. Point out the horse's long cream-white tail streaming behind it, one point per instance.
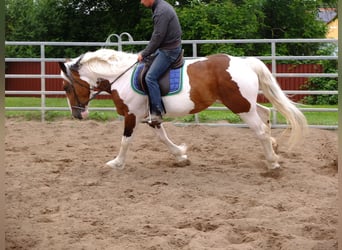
[[279, 100]]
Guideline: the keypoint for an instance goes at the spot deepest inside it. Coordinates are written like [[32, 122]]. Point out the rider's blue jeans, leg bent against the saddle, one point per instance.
[[162, 61]]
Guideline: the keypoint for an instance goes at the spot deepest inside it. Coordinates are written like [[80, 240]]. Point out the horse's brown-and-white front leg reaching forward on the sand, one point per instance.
[[120, 159]]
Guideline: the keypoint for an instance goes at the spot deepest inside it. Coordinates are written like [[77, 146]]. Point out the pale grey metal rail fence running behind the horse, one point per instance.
[[194, 43]]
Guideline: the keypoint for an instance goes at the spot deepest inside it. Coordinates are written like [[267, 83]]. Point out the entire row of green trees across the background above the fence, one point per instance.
[[94, 20]]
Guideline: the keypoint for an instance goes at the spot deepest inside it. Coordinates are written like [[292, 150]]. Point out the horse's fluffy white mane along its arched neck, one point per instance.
[[108, 61]]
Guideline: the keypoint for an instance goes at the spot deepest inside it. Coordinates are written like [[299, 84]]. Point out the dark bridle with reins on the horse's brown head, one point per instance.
[[72, 80]]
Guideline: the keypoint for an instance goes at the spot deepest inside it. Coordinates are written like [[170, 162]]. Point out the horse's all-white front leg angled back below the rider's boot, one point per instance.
[[179, 151]]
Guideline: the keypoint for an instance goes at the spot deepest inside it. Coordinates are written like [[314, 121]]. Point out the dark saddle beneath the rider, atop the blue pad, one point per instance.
[[164, 83]]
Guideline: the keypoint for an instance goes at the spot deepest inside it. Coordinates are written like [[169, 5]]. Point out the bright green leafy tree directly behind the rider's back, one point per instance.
[[222, 20]]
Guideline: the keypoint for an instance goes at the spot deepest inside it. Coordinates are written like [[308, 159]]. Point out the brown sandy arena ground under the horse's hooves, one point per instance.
[[59, 194]]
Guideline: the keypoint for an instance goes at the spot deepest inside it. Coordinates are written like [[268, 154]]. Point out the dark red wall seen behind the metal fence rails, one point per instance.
[[33, 84]]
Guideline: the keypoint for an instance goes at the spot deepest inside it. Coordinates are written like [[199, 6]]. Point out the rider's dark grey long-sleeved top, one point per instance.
[[167, 30]]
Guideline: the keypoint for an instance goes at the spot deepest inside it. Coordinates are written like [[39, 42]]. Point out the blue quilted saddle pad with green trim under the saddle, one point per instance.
[[174, 80]]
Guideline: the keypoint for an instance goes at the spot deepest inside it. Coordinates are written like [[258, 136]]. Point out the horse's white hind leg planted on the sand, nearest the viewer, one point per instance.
[[263, 133]]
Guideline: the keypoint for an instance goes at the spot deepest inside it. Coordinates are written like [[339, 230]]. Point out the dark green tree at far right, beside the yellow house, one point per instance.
[[293, 19]]
